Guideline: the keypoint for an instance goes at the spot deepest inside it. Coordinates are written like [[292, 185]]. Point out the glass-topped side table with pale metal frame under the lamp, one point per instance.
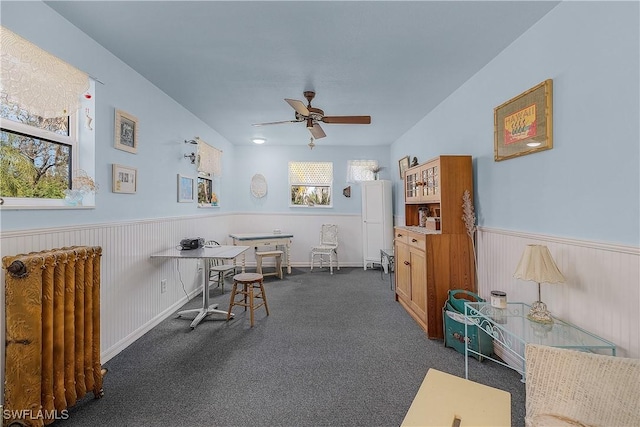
[[511, 330]]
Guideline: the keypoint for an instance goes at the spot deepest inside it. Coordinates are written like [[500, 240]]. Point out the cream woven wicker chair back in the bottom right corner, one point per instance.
[[574, 388]]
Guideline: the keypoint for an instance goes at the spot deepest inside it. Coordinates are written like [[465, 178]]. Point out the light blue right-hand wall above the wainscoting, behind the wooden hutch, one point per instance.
[[588, 185]]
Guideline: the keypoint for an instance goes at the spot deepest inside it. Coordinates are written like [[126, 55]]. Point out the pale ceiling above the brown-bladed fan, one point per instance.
[[233, 63]]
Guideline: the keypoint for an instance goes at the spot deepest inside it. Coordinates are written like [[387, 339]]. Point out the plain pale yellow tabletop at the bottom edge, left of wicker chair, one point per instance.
[[442, 396]]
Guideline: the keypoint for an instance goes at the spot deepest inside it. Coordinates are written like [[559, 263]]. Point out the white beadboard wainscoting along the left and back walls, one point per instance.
[[131, 301]]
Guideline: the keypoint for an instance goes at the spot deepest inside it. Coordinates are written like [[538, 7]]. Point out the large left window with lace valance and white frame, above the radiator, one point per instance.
[[47, 154]]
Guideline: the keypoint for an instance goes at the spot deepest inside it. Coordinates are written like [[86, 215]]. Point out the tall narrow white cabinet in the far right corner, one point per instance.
[[377, 220]]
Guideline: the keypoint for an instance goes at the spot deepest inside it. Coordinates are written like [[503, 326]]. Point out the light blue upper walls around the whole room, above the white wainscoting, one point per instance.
[[586, 187]]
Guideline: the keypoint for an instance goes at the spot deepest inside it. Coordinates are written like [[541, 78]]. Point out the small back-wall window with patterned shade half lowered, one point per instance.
[[311, 184]]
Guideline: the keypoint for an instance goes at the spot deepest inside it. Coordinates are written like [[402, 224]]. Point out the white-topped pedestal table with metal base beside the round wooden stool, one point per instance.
[[207, 254]]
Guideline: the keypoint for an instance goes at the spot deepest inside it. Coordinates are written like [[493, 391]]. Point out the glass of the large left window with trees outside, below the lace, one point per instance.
[[32, 163]]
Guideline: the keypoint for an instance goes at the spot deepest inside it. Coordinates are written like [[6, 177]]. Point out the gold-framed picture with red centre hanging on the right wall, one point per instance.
[[524, 124]]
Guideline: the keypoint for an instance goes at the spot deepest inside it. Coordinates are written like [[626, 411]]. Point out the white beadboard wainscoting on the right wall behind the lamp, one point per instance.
[[602, 289]]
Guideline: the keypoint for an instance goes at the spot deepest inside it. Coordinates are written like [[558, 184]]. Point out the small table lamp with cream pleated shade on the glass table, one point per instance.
[[537, 265]]
